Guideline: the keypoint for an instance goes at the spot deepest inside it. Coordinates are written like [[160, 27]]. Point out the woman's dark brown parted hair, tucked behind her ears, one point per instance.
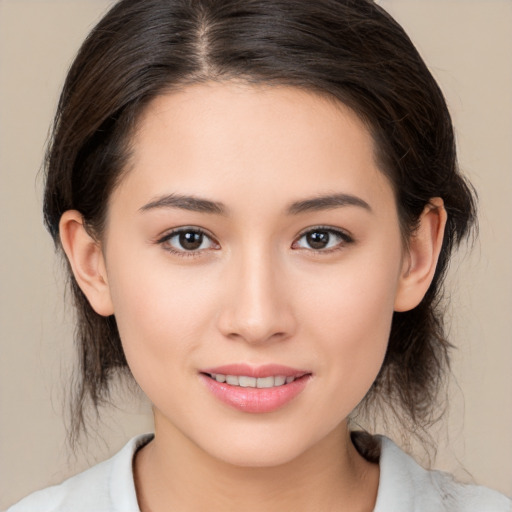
[[351, 50]]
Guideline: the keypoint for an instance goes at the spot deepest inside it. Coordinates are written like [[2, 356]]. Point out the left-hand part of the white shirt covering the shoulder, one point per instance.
[[108, 486]]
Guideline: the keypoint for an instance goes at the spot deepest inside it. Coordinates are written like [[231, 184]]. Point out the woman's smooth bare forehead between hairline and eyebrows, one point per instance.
[[234, 141]]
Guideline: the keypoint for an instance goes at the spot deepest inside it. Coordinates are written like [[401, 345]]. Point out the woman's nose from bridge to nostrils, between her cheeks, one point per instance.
[[256, 307]]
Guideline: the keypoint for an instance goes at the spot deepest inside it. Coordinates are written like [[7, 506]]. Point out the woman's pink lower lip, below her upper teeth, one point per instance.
[[256, 400]]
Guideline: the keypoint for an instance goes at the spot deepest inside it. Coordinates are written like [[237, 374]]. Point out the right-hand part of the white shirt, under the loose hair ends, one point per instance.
[[404, 486]]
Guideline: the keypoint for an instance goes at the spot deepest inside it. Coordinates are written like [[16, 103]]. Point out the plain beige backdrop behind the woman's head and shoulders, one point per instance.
[[468, 46]]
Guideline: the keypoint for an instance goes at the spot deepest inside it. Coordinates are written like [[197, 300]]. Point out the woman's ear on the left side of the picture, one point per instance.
[[87, 262]]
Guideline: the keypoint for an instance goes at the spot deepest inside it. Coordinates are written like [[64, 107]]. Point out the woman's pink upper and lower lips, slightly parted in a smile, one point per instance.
[[256, 400]]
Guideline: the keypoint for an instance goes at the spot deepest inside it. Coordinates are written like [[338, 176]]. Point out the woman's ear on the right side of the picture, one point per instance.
[[421, 259]]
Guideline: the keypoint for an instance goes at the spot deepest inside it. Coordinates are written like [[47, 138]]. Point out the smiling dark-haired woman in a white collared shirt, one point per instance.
[[257, 201]]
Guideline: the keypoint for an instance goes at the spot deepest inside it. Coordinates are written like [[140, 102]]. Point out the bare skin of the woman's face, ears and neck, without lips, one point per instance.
[[254, 292]]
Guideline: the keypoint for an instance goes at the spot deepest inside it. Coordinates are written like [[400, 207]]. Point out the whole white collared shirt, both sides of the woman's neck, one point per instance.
[[404, 486]]
